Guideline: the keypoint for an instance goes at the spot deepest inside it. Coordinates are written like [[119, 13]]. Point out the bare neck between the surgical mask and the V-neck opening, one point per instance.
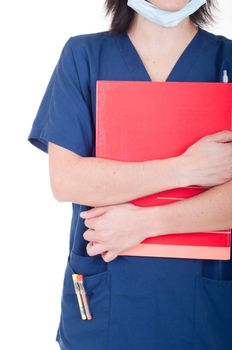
[[153, 37]]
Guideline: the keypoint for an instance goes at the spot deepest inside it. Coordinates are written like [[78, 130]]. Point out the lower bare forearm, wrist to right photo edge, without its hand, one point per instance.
[[208, 211]]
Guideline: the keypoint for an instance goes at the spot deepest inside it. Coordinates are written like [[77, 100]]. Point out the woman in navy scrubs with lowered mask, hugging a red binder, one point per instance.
[[139, 302]]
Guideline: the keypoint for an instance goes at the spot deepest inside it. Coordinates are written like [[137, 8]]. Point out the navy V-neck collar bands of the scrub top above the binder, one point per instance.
[[181, 68]]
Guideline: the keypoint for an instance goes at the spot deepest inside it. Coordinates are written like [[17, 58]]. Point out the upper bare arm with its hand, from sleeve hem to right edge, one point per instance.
[[96, 181]]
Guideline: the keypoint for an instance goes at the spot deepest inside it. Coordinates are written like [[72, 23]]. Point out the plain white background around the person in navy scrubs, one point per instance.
[[34, 226]]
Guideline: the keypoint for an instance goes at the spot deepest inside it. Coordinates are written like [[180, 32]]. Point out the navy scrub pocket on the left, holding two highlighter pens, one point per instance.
[[73, 332]]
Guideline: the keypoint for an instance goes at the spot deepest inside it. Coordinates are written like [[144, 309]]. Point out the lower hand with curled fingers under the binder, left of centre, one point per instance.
[[114, 228]]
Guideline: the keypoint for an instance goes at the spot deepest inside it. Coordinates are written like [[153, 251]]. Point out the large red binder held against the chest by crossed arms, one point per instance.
[[141, 120]]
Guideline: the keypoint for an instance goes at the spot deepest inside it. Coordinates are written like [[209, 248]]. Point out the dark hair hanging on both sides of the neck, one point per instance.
[[122, 14]]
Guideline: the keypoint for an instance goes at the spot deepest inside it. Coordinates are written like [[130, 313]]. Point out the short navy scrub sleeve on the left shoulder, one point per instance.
[[64, 116]]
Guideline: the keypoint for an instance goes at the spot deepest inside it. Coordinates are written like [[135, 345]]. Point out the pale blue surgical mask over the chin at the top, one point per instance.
[[163, 17]]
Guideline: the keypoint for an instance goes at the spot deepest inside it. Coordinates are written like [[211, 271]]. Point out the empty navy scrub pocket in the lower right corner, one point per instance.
[[213, 314]]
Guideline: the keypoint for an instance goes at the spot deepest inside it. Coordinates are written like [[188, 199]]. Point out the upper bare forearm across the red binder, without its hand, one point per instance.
[[96, 181]]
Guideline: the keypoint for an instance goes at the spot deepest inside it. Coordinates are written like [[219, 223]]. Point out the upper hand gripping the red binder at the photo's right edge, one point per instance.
[[210, 159]]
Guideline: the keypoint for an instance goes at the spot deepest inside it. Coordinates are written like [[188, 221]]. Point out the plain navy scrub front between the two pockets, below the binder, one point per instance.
[[151, 303]]
